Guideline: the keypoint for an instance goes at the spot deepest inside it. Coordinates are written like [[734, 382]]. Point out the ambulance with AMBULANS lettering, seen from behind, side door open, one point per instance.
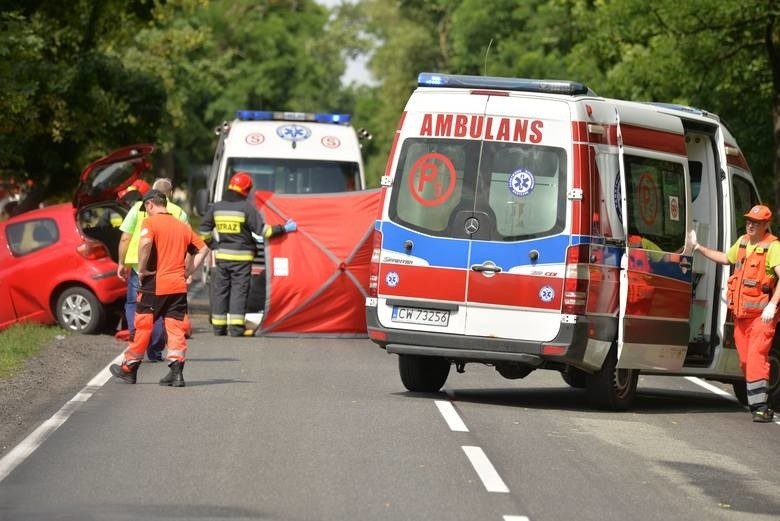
[[532, 224]]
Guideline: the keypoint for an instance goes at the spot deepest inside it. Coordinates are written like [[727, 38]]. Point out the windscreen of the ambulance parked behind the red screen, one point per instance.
[[298, 176]]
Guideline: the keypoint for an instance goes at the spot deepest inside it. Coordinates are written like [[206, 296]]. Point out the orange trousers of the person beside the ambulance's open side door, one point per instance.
[[754, 341]]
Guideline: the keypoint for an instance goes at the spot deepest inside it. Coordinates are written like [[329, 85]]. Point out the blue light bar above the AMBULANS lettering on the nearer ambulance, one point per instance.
[[571, 88]]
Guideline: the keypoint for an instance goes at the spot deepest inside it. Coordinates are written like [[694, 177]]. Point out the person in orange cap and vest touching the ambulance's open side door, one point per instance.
[[752, 299]]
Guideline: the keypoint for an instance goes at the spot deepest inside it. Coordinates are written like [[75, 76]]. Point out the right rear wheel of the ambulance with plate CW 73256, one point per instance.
[[610, 388]]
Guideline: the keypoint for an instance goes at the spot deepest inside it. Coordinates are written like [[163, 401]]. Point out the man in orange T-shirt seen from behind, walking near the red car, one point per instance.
[[162, 273]]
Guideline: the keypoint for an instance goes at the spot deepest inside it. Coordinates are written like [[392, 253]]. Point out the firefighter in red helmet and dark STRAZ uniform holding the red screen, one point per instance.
[[239, 228]]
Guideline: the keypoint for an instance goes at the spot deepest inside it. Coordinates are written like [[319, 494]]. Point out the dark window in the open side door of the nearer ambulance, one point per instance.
[[656, 201]]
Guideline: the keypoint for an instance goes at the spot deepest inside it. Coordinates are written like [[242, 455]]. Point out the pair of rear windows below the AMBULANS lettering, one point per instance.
[[514, 191]]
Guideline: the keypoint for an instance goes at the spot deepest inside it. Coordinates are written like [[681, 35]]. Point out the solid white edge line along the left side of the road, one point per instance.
[[36, 438]]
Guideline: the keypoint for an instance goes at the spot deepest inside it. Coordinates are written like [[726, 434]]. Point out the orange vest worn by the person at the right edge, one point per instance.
[[750, 287]]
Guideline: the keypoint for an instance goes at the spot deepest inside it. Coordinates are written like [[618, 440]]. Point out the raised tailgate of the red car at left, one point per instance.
[[103, 179]]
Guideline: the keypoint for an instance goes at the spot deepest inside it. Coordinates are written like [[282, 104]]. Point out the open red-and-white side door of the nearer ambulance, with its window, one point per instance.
[[656, 291]]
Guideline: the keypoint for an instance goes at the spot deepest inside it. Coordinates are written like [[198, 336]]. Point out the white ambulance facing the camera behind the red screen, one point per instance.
[[284, 152]]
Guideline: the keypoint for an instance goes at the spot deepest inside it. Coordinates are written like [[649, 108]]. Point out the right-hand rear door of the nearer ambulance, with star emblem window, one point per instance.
[[517, 257]]
